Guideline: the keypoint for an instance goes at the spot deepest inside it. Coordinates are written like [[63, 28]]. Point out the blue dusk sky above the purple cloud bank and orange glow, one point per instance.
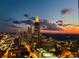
[[12, 10]]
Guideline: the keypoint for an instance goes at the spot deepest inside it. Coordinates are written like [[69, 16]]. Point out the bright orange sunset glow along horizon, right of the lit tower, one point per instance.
[[67, 30]]
